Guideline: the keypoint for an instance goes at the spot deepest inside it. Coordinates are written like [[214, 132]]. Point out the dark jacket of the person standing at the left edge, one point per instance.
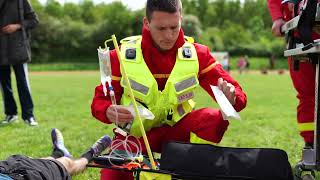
[[10, 44]]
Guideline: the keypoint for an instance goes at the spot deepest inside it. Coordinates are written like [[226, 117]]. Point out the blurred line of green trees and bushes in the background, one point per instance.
[[73, 32]]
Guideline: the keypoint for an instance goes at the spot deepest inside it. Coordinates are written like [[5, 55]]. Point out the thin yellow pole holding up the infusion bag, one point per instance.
[[145, 139]]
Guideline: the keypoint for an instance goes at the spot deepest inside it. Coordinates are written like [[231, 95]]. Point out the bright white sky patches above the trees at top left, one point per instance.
[[132, 4]]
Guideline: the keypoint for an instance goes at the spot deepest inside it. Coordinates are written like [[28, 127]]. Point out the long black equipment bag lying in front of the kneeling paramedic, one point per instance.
[[204, 161]]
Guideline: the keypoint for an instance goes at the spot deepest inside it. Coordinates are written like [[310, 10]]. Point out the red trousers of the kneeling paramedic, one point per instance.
[[206, 123]]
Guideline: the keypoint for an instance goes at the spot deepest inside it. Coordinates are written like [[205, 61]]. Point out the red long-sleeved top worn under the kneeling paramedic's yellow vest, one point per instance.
[[160, 65]]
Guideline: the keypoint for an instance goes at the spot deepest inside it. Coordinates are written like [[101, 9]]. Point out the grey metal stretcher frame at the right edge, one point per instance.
[[310, 156]]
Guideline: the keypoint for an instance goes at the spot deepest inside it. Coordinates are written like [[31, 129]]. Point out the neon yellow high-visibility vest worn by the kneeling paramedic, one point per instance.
[[169, 105]]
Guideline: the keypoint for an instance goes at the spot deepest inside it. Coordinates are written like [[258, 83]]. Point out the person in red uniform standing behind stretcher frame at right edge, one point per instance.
[[303, 79]]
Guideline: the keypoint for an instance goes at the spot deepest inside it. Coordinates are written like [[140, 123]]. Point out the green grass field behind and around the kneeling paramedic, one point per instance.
[[62, 100]]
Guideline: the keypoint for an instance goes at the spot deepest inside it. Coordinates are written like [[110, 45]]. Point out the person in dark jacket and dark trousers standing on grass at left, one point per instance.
[[16, 19]]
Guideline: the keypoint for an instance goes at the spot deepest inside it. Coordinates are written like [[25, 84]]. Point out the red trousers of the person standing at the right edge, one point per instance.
[[304, 83]]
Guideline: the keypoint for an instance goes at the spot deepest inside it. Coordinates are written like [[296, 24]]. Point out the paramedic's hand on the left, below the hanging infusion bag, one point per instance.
[[119, 115]]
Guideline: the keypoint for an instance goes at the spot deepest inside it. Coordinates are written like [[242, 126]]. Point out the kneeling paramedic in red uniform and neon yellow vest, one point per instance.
[[164, 70]]
